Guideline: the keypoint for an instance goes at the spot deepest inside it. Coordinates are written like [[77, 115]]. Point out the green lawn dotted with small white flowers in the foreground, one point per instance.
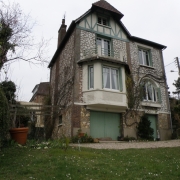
[[89, 164]]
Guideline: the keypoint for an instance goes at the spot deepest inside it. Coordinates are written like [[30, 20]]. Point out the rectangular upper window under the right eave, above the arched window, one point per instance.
[[144, 57]]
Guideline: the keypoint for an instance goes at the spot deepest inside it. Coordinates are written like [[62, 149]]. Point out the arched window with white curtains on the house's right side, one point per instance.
[[150, 92]]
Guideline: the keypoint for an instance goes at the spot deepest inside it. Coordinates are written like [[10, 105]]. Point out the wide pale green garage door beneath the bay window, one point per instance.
[[103, 124]]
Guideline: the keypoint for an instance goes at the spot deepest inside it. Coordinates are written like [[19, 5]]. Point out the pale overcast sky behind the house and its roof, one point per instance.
[[154, 20]]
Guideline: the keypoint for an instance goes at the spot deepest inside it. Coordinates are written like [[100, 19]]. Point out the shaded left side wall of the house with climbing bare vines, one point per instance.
[[62, 76]]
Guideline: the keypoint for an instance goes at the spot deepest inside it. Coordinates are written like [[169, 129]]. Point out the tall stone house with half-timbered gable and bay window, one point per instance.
[[88, 75]]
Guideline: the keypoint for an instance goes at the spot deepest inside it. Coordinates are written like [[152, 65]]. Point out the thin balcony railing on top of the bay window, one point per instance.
[[102, 52]]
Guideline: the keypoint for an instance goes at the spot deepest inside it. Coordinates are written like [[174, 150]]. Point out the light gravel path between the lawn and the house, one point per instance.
[[128, 145]]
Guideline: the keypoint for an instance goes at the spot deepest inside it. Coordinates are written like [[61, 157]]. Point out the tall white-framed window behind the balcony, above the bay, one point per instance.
[[103, 46]]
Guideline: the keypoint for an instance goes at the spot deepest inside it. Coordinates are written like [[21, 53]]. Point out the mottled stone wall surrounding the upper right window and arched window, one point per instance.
[[155, 73]]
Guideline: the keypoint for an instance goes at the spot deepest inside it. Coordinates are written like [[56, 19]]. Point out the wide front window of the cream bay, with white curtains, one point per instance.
[[110, 78]]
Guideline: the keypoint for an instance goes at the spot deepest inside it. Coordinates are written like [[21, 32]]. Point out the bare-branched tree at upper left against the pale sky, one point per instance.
[[16, 38]]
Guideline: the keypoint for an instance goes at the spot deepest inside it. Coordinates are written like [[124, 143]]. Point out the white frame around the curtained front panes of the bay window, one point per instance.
[[110, 78]]
